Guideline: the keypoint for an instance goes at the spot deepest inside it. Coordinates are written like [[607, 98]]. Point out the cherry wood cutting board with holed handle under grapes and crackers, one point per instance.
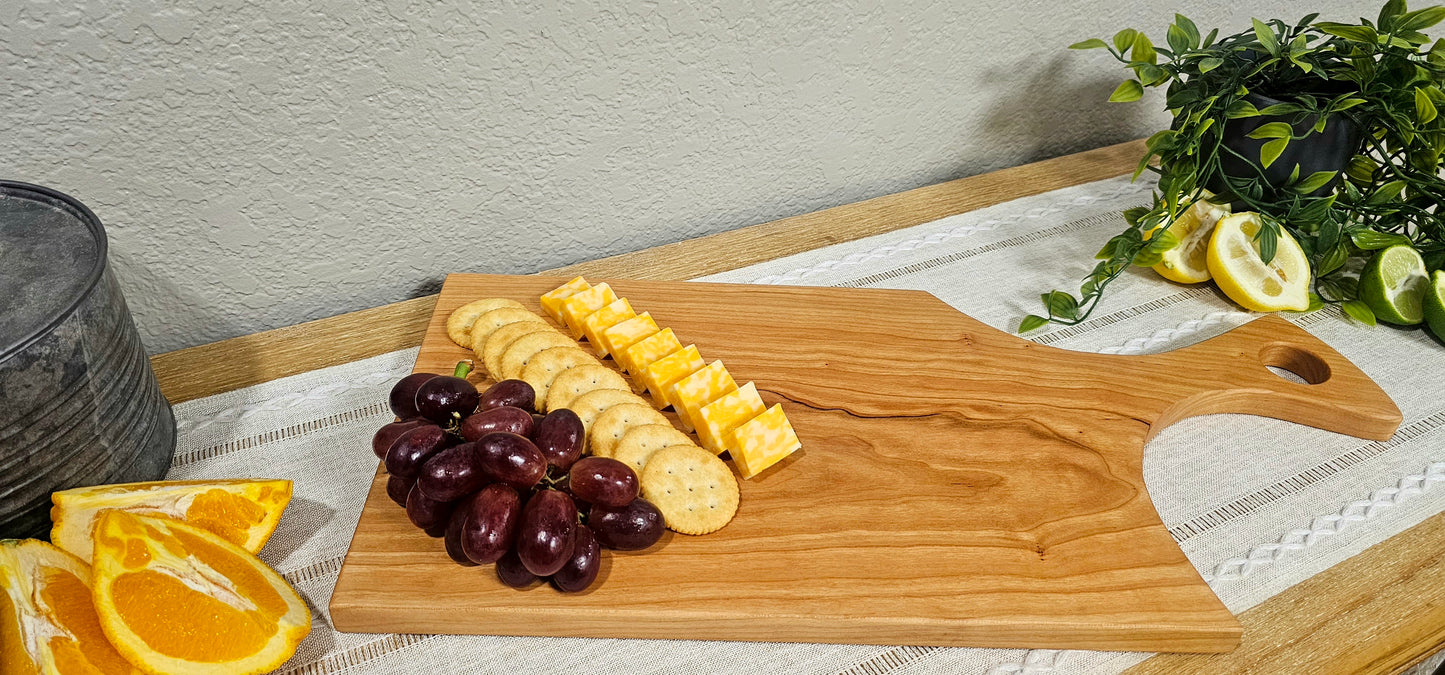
[[957, 486]]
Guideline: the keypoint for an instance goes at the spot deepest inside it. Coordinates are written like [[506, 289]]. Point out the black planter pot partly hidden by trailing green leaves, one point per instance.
[[1326, 151]]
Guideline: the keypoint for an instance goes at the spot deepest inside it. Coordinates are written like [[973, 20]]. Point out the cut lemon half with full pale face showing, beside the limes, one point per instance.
[[1236, 265]]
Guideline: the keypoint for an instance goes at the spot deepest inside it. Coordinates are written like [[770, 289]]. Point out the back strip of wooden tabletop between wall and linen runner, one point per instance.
[[349, 337]]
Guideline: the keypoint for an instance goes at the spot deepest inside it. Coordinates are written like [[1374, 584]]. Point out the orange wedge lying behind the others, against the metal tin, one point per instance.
[[243, 512]]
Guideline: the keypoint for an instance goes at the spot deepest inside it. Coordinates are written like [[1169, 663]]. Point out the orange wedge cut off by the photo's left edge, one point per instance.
[[48, 625]]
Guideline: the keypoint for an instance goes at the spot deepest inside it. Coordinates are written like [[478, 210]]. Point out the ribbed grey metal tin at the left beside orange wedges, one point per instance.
[[79, 401]]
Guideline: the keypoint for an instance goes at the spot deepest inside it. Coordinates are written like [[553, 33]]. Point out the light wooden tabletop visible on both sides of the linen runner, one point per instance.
[[1376, 614]]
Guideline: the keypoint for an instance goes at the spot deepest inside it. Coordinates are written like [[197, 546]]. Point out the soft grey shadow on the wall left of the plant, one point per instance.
[[1045, 111]]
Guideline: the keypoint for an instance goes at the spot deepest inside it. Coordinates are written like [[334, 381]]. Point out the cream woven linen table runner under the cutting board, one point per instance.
[[1258, 505]]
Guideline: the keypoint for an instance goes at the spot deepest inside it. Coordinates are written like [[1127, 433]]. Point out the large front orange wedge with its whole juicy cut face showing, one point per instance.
[[178, 599]]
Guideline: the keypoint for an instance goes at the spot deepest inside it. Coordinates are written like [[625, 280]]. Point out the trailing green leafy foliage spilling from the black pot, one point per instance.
[[1381, 76]]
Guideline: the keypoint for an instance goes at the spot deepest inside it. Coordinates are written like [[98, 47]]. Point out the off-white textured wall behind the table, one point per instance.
[[261, 164]]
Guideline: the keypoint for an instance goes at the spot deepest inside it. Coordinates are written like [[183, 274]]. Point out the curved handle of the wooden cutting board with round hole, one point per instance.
[[1233, 377]]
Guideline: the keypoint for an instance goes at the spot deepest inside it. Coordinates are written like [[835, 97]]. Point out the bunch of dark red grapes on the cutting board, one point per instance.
[[505, 485]]
